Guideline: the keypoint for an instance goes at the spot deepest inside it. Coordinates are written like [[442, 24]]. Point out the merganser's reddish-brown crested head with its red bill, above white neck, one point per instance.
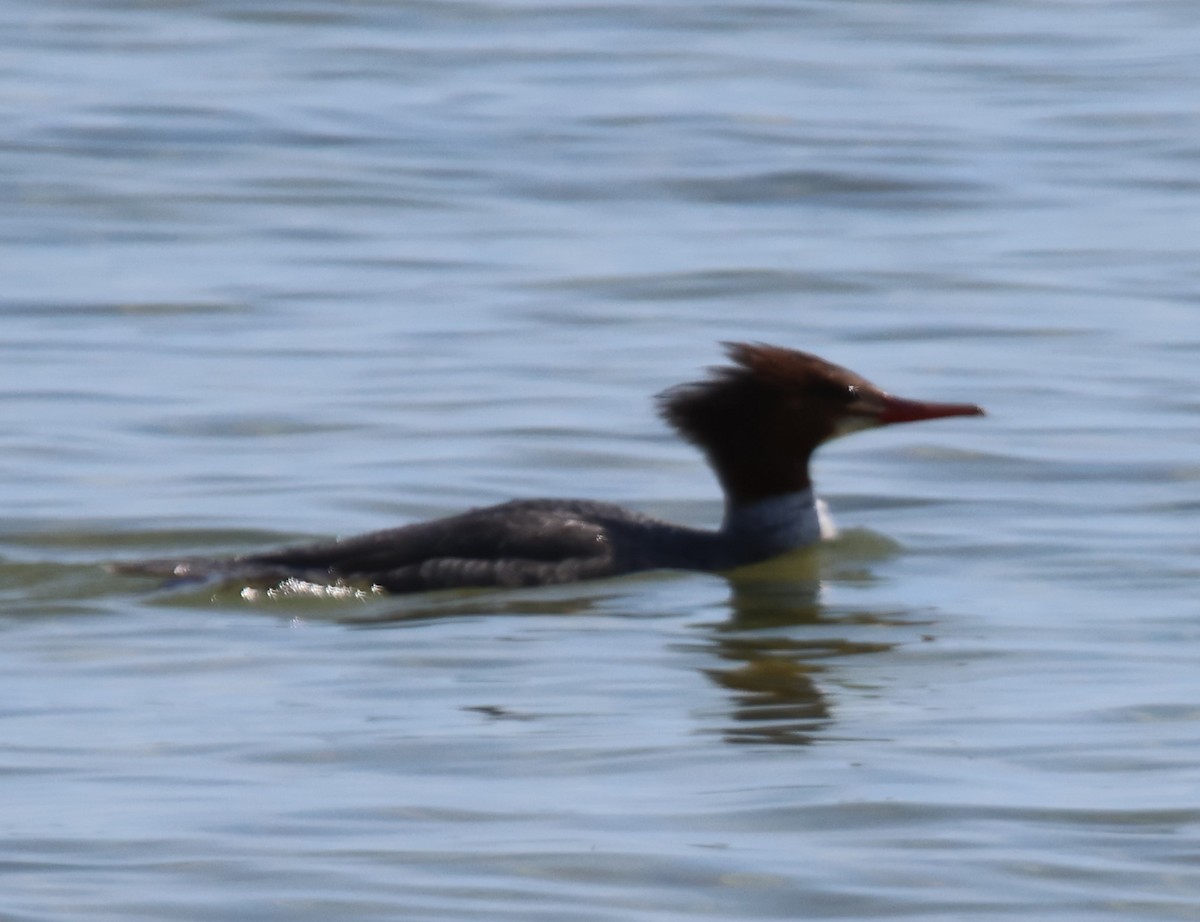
[[760, 420]]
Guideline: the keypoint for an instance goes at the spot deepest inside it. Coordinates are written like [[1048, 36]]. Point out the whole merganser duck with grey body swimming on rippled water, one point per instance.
[[758, 421]]
